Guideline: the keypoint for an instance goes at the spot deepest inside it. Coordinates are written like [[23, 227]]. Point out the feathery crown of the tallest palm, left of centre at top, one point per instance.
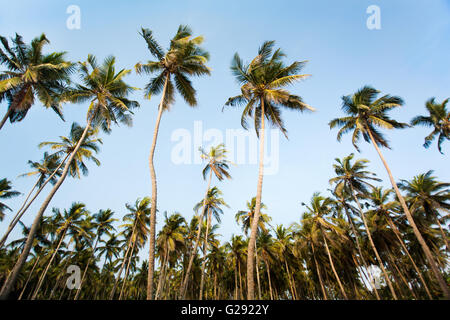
[[184, 58]]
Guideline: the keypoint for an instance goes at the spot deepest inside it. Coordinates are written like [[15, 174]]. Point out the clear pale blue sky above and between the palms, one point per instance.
[[408, 57]]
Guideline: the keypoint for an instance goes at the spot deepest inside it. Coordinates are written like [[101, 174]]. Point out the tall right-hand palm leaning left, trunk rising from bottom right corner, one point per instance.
[[364, 113]]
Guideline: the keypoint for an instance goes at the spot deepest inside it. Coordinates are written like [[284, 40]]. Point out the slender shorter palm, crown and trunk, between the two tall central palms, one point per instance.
[[217, 163]]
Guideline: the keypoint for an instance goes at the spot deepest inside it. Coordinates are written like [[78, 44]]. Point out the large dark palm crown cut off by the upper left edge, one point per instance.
[[31, 74]]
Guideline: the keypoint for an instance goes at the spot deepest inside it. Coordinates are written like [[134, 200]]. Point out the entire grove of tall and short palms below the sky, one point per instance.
[[355, 240]]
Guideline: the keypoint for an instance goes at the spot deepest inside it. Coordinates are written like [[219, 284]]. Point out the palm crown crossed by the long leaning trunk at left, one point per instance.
[[67, 145]]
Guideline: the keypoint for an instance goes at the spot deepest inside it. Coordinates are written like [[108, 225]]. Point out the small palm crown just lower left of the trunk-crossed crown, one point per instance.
[[45, 168]]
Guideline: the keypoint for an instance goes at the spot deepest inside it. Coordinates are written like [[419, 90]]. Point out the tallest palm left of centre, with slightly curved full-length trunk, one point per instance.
[[183, 59]]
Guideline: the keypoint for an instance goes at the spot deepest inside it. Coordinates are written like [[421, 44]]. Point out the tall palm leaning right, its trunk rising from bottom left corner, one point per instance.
[[107, 93]]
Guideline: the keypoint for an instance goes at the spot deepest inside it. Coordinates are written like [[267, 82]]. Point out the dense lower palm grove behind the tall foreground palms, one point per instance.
[[332, 252]]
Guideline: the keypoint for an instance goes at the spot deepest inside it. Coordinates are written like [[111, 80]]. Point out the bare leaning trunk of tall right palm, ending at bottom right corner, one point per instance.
[[443, 285]]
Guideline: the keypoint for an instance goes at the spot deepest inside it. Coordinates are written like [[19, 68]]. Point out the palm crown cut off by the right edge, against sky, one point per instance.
[[438, 119]]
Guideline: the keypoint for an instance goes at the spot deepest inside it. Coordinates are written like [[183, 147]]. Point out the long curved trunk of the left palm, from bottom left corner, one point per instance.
[[10, 282]]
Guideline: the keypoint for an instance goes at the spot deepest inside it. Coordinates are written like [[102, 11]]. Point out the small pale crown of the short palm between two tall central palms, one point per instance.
[[217, 162]]
